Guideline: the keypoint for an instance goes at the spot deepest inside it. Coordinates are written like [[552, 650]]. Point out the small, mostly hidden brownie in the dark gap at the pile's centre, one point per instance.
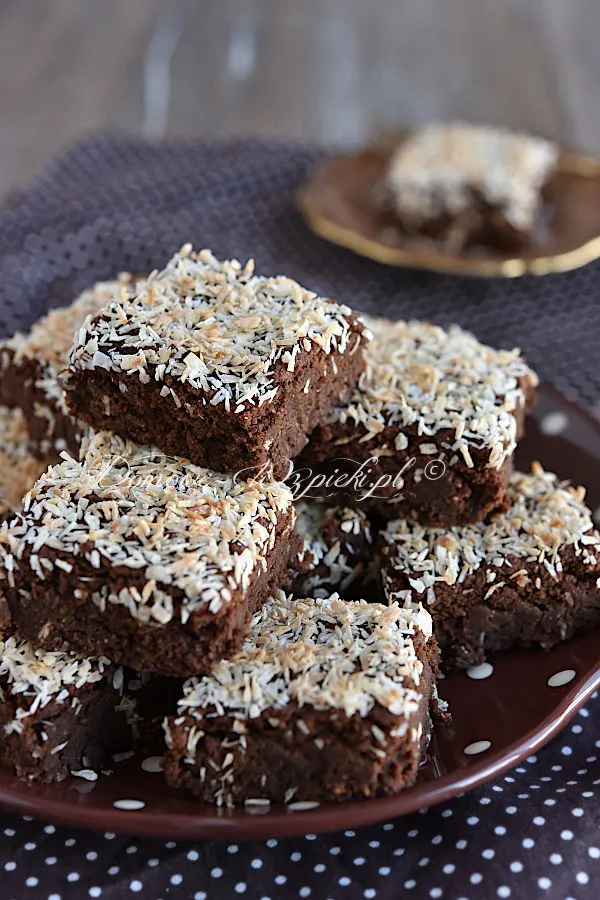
[[335, 554]]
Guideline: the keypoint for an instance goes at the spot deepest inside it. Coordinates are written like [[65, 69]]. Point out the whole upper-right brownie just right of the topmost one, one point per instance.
[[430, 430]]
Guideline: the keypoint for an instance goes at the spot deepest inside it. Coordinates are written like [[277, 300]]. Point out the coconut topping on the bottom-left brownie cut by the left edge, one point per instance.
[[37, 677]]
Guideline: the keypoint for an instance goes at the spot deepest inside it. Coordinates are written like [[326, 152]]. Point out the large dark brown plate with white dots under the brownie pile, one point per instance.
[[496, 709]]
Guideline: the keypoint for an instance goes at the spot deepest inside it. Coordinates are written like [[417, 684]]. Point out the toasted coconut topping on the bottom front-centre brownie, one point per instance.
[[324, 653]]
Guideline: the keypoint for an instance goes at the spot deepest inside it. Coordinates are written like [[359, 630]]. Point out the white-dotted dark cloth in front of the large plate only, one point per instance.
[[534, 832]]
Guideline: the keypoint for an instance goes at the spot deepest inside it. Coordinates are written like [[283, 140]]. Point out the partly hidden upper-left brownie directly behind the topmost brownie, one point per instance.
[[31, 364]]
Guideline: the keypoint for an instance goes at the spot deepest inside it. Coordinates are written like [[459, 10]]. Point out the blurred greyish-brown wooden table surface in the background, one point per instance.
[[333, 70]]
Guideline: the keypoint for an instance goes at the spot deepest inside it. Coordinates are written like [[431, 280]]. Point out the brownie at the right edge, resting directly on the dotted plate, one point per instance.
[[529, 576]]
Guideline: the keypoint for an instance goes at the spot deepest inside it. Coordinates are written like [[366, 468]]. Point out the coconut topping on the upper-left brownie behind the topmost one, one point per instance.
[[51, 337]]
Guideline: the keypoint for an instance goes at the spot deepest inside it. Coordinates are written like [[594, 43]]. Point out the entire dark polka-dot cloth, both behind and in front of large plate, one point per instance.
[[110, 204]]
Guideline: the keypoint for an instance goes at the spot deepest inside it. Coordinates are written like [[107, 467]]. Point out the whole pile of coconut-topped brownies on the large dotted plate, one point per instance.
[[300, 634]]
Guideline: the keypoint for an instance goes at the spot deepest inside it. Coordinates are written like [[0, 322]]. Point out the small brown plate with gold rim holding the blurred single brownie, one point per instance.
[[338, 205]]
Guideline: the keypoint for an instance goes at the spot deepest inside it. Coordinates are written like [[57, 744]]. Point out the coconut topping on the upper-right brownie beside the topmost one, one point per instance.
[[419, 375]]
